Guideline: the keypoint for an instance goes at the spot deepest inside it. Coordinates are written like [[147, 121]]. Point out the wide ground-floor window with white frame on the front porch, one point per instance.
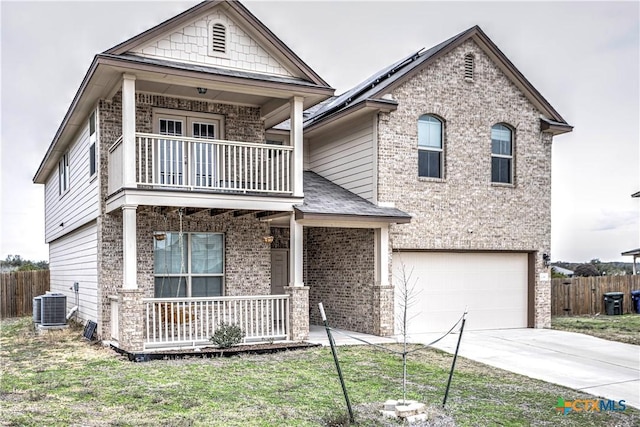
[[189, 267]]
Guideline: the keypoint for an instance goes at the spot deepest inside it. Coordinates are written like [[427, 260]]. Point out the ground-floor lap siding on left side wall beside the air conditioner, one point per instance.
[[74, 258]]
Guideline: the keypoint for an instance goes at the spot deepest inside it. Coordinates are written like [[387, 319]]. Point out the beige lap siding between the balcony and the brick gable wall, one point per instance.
[[346, 158]]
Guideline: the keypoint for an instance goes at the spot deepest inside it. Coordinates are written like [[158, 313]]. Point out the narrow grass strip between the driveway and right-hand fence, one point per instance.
[[624, 328]]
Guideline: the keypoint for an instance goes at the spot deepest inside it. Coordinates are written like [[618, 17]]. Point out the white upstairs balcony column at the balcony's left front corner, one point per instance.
[[129, 130]]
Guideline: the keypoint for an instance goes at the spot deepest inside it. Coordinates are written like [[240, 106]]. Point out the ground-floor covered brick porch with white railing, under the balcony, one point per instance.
[[197, 269]]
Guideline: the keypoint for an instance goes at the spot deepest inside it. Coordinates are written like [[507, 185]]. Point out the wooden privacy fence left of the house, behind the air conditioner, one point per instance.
[[17, 290]]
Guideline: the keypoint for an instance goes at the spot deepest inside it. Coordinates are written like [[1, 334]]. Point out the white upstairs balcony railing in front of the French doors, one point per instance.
[[192, 163]]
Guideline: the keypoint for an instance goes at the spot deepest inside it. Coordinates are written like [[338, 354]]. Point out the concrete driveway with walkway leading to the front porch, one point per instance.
[[606, 369]]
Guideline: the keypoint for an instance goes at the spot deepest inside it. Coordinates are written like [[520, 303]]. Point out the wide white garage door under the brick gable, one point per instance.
[[493, 287]]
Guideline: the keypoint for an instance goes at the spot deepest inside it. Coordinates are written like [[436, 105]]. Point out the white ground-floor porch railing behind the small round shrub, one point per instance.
[[191, 322]]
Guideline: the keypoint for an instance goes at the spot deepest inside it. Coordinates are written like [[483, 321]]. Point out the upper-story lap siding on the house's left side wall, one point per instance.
[[79, 205]]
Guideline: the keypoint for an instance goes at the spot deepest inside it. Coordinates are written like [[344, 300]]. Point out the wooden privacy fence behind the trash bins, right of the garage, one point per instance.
[[584, 295]]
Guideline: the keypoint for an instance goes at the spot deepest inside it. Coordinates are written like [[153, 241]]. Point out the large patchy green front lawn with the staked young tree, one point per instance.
[[59, 379]]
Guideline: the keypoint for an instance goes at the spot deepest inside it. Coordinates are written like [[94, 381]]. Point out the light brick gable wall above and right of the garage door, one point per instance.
[[464, 210]]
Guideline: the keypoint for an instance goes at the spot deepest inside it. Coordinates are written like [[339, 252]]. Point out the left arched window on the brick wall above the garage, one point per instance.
[[430, 146]]
